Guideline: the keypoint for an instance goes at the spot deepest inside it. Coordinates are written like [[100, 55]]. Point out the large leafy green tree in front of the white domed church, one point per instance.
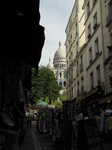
[[44, 84]]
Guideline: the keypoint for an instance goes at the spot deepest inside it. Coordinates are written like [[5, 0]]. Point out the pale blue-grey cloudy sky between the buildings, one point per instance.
[[54, 17]]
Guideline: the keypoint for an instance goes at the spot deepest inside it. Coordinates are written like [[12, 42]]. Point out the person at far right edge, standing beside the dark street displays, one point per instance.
[[108, 127]]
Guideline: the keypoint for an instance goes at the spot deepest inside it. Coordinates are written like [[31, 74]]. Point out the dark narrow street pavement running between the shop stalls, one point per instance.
[[36, 141]]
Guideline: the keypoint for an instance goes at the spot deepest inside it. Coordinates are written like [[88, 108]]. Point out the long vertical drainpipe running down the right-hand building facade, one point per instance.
[[103, 50]]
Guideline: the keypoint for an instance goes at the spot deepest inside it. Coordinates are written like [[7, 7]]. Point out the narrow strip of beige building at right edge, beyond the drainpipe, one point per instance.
[[107, 44]]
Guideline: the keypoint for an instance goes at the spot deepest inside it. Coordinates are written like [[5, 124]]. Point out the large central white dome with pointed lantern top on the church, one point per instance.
[[60, 53]]
